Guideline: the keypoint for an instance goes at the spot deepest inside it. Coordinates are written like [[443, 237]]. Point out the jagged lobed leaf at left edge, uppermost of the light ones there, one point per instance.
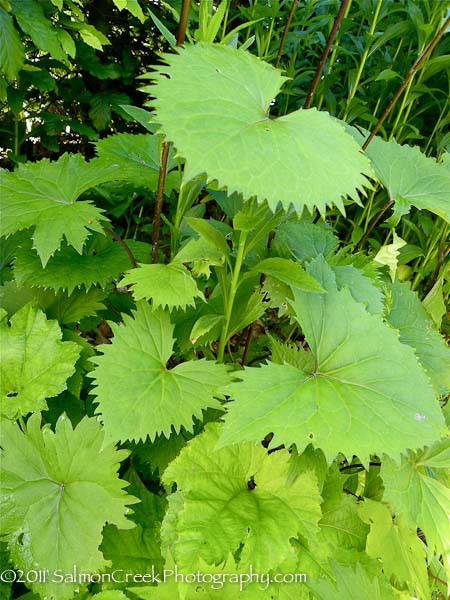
[[43, 195]]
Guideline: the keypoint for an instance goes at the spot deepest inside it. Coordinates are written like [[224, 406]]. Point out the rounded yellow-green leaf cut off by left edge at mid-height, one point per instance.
[[35, 362]]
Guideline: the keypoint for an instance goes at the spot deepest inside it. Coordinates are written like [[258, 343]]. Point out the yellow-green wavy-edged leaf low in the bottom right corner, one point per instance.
[[398, 546]]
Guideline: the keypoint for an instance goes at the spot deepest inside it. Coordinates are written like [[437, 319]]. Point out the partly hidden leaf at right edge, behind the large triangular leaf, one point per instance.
[[416, 329]]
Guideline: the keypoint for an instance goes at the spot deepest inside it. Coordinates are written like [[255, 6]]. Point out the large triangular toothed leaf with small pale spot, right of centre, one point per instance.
[[364, 383]]
